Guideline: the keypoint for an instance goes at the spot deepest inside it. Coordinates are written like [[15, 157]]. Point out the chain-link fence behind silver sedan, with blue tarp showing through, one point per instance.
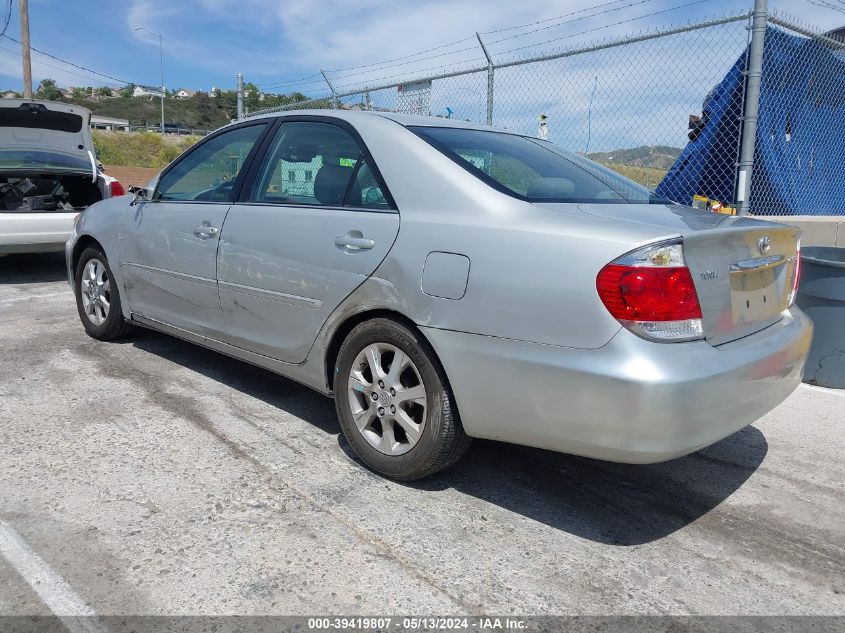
[[665, 108]]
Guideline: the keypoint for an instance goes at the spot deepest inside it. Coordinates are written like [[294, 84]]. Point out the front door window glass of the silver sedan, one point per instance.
[[209, 172]]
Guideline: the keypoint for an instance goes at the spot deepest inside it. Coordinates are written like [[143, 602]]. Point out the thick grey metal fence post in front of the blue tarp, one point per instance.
[[751, 107]]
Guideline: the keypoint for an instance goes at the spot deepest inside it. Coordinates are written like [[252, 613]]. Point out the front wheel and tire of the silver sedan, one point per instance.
[[98, 298]]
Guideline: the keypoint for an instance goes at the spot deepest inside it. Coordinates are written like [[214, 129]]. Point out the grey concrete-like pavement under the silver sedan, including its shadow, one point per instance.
[[150, 476]]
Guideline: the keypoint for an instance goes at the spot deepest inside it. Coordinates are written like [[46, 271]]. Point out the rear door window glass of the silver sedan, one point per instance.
[[315, 163]]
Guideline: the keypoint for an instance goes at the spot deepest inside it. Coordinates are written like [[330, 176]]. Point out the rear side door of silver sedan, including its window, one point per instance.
[[316, 221]]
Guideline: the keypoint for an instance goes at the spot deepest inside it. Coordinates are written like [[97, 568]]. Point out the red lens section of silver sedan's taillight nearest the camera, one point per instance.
[[638, 293]]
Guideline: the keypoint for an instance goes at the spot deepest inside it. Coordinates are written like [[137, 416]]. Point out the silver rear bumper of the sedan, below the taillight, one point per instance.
[[630, 401]]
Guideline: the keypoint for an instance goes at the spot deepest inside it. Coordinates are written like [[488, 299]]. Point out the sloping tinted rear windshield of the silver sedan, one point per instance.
[[534, 170]]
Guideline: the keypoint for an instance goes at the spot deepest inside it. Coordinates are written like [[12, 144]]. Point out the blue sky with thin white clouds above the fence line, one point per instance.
[[282, 44]]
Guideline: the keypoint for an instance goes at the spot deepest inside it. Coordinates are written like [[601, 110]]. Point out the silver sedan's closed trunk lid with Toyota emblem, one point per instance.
[[743, 267]]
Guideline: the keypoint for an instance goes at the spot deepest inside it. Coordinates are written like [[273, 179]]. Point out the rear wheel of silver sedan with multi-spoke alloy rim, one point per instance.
[[394, 403]]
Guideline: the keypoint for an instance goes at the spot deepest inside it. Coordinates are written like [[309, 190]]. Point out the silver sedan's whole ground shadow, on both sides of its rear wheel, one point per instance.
[[615, 504]]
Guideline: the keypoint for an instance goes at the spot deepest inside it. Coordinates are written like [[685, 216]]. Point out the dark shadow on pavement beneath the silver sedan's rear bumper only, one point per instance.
[[614, 504]]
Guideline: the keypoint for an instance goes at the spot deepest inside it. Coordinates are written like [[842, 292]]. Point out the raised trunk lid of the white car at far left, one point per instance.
[[44, 136]]
